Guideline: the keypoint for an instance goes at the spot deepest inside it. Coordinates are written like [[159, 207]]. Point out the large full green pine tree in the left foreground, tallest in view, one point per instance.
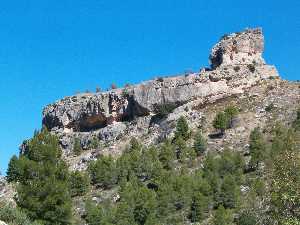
[[43, 190]]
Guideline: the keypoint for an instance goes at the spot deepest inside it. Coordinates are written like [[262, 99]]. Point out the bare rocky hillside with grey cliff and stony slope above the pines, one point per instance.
[[104, 122]]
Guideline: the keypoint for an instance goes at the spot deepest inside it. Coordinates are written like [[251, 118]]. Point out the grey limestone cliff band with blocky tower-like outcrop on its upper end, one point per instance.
[[237, 64]]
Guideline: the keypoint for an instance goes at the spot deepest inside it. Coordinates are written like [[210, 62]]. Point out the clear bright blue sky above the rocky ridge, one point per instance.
[[54, 48]]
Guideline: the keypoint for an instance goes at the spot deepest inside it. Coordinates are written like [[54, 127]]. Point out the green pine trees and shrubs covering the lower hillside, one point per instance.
[[176, 182]]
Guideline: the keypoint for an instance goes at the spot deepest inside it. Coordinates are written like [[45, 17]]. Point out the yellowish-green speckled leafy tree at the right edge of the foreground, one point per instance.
[[285, 180]]
